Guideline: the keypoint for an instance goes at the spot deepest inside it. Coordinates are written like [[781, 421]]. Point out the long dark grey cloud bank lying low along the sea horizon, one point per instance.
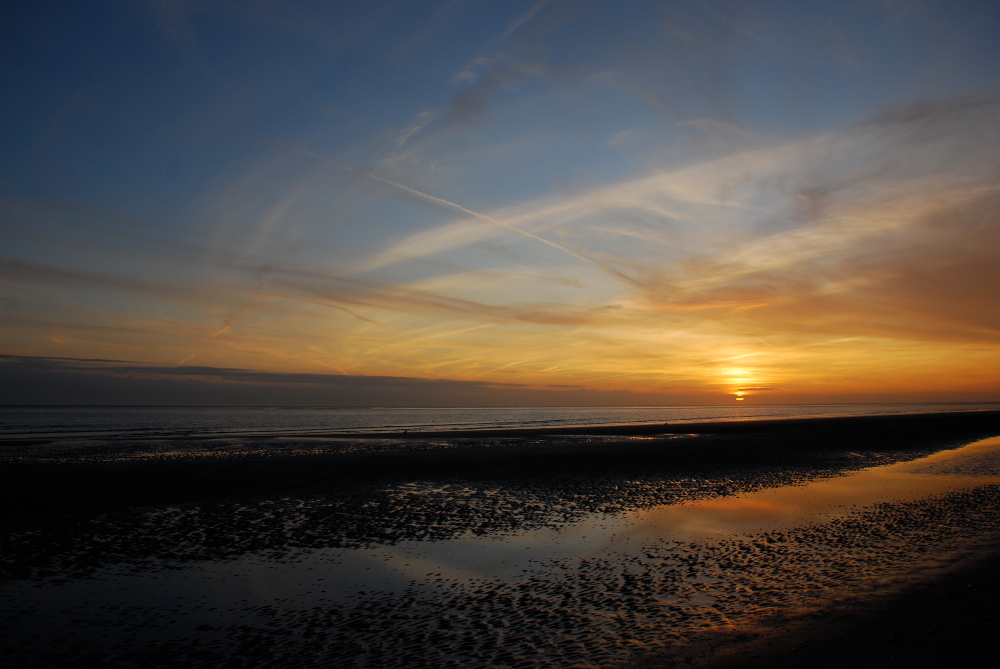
[[48, 380]]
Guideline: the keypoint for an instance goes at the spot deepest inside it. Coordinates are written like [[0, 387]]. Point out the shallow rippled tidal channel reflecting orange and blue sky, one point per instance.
[[587, 589]]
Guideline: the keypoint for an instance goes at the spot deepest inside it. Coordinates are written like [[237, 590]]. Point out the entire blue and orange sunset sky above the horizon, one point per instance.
[[519, 202]]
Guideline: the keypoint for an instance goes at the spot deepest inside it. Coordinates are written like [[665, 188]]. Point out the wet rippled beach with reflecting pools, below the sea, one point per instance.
[[699, 543]]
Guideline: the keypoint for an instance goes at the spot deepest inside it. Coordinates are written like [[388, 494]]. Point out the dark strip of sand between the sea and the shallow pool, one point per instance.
[[37, 486]]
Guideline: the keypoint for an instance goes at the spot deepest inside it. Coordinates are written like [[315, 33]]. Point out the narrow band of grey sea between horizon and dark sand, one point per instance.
[[206, 422]]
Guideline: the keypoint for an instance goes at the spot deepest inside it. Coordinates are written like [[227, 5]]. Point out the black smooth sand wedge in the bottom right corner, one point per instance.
[[945, 618]]
